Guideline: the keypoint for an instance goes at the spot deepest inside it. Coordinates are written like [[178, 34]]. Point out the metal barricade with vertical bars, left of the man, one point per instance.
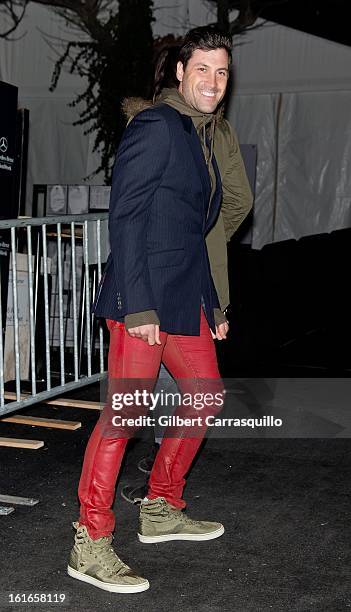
[[20, 309]]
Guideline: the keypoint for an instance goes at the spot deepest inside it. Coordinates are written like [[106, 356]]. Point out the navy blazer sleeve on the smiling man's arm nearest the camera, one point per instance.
[[141, 159]]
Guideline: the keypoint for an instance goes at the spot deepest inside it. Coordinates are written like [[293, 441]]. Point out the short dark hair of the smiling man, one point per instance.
[[206, 38]]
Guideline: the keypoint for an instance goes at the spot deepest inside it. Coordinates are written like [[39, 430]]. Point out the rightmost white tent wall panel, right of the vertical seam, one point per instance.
[[314, 178]]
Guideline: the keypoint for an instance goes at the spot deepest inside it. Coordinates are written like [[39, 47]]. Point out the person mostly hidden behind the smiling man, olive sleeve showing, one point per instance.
[[235, 205]]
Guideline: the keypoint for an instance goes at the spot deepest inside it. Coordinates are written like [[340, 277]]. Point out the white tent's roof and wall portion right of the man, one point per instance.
[[293, 99]]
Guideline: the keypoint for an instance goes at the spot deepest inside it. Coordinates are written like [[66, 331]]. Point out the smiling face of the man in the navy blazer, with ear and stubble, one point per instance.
[[204, 80]]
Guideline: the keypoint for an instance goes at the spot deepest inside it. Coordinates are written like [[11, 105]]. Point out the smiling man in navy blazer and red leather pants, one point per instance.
[[160, 303]]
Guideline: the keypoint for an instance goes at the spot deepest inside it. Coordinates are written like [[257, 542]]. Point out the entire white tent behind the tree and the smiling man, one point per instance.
[[291, 97]]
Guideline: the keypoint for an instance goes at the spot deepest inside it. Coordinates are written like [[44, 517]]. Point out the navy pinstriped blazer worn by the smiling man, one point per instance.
[[159, 216]]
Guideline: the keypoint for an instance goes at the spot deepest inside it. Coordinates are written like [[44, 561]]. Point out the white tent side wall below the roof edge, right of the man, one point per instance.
[[303, 183]]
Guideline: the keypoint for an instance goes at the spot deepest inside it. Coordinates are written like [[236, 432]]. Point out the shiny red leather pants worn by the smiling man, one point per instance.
[[186, 357]]
